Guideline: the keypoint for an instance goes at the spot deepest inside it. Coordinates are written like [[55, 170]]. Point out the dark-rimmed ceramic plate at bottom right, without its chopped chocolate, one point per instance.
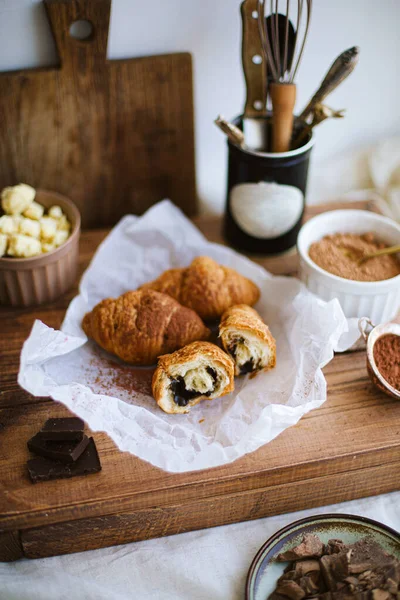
[[265, 571]]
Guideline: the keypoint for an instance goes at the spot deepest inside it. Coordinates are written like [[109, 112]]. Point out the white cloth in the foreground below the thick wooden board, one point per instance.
[[210, 564]]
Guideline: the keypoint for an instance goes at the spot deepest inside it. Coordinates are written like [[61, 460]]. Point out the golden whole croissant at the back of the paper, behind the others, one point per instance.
[[206, 287]]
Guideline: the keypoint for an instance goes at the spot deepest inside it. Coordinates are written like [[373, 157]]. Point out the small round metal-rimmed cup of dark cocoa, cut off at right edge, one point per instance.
[[383, 354]]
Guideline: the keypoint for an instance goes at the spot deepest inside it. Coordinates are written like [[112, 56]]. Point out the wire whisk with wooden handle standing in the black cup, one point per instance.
[[283, 64]]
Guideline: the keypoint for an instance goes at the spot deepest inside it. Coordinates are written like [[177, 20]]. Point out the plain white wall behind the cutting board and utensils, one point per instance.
[[211, 30]]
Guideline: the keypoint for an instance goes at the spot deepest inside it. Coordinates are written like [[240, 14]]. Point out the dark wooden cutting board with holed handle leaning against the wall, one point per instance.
[[115, 136]]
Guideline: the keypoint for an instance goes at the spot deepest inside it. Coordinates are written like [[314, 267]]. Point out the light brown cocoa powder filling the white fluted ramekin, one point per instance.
[[339, 254]]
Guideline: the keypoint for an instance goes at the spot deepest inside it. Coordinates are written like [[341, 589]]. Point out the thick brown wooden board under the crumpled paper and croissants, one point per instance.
[[348, 448]]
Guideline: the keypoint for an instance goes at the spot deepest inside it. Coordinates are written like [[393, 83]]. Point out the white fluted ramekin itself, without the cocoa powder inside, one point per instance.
[[378, 300]]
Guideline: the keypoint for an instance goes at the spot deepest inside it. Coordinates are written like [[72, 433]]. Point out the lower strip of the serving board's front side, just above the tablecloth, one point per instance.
[[100, 532]]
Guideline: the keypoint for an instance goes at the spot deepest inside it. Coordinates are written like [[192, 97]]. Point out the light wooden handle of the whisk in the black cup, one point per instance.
[[283, 97]]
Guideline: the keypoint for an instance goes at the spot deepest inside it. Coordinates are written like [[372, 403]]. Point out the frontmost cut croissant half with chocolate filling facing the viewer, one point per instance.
[[199, 371]]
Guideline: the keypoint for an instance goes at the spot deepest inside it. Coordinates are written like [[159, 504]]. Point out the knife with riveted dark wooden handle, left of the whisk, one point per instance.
[[255, 74]]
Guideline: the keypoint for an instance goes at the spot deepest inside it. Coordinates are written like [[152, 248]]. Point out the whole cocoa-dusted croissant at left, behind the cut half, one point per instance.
[[140, 326]]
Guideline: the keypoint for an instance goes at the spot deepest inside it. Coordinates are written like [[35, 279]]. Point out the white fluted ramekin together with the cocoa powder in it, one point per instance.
[[331, 246]]
